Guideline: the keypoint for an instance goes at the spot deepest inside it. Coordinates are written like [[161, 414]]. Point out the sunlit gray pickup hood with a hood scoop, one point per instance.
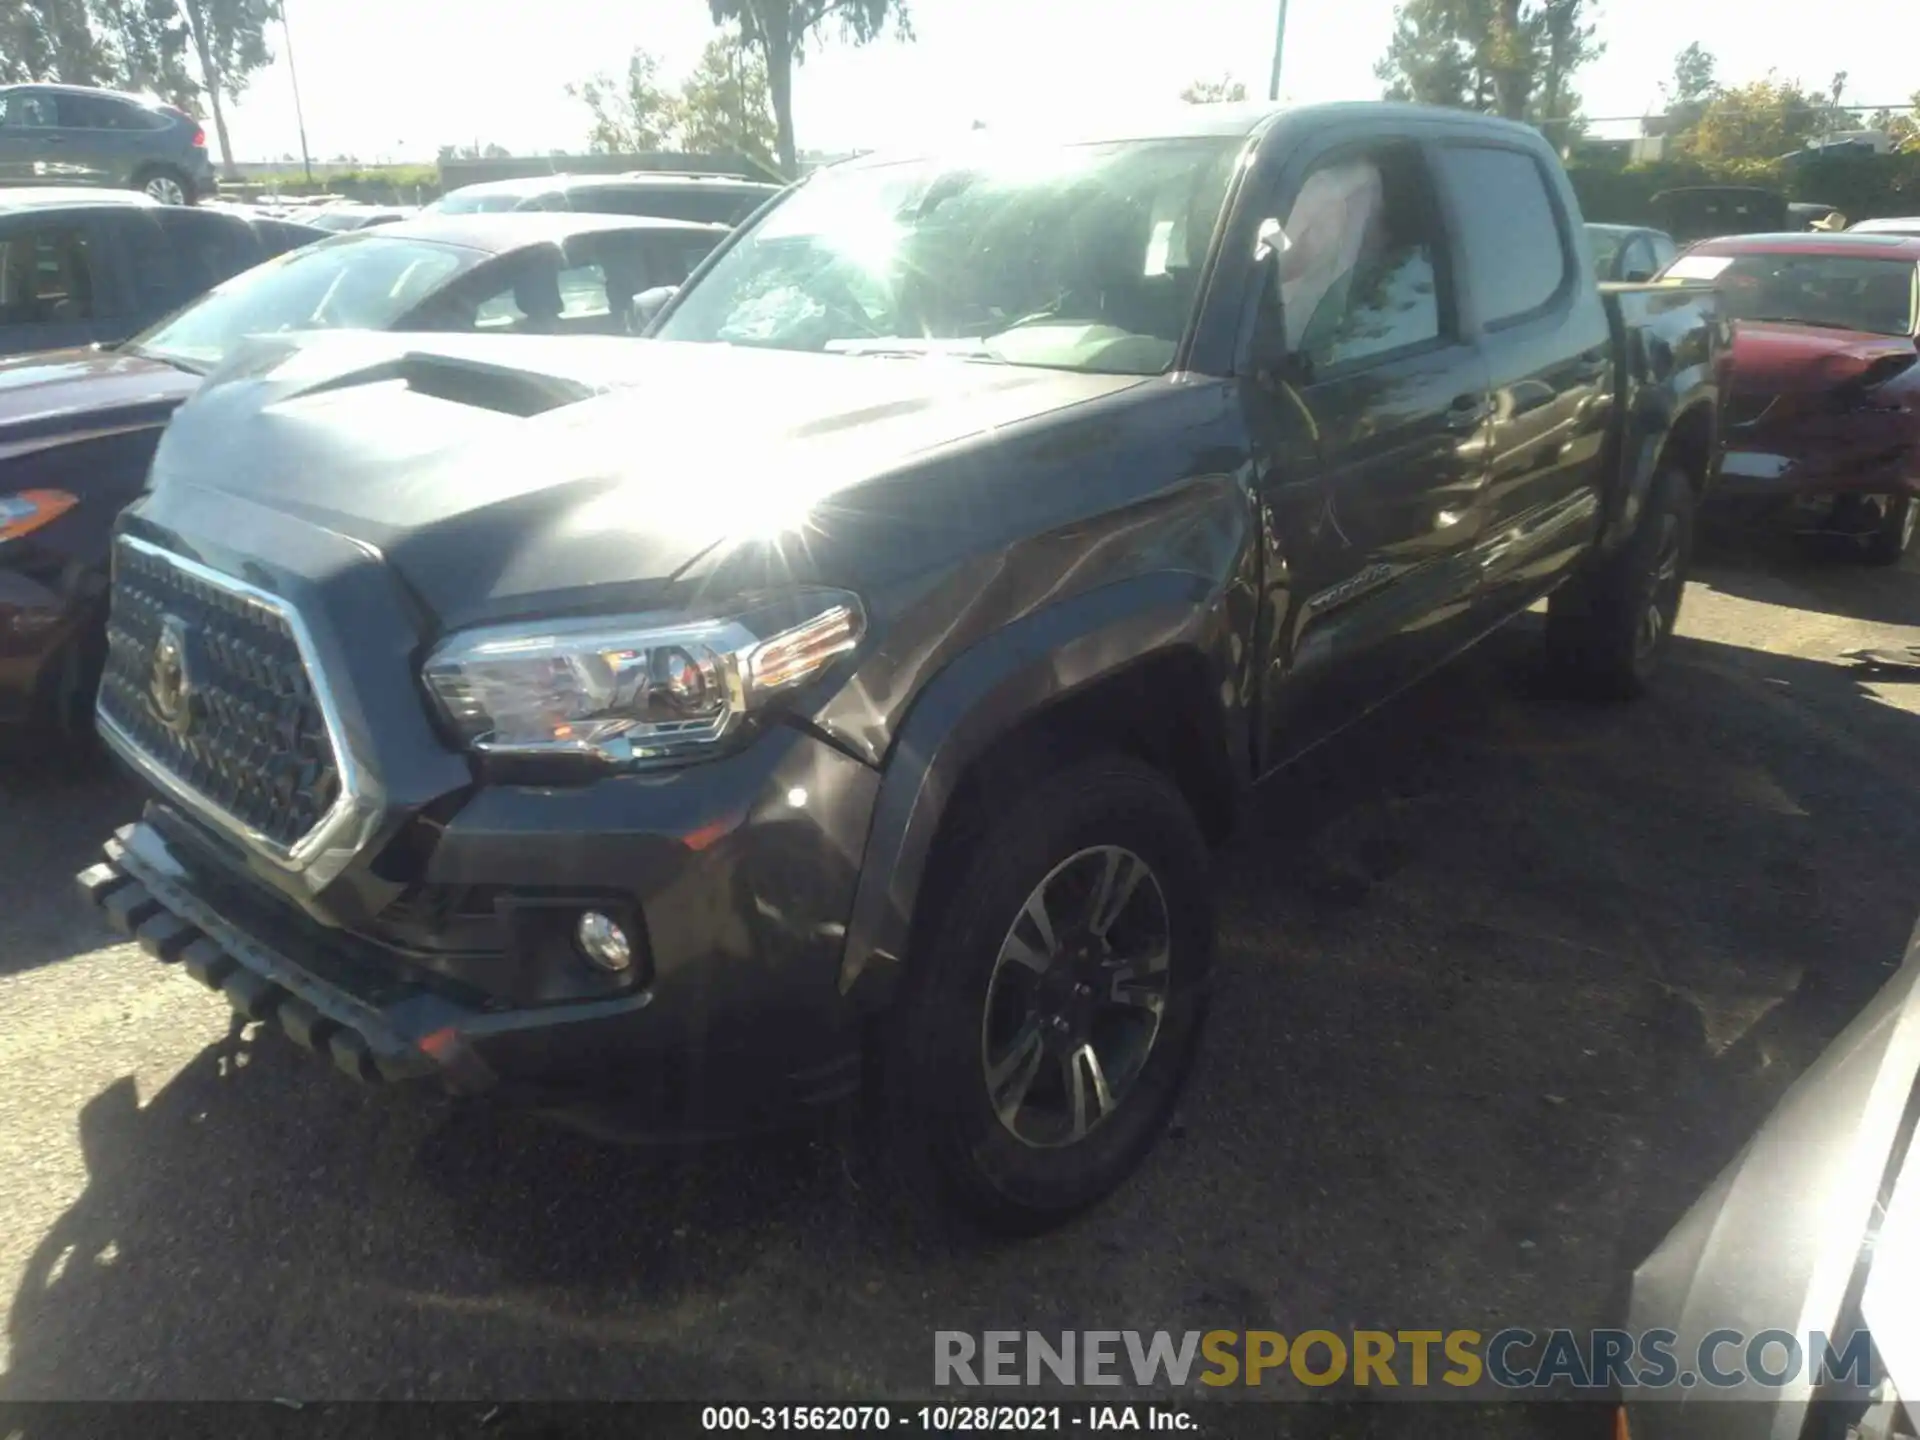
[[500, 473]]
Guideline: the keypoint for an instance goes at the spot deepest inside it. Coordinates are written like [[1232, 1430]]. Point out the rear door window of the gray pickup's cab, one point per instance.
[[1514, 252]]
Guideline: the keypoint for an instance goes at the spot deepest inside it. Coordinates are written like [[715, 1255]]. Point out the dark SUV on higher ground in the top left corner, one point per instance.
[[72, 135]]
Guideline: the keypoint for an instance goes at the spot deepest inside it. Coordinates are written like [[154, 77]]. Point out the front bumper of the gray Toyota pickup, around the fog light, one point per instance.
[[734, 1015]]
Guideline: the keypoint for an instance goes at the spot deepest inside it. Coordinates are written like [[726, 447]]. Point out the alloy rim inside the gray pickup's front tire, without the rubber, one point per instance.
[[1076, 997]]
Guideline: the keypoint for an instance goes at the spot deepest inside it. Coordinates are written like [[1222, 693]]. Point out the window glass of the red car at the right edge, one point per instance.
[[1835, 291]]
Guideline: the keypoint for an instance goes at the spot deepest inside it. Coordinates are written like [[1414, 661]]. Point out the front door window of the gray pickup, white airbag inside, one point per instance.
[[1360, 260]]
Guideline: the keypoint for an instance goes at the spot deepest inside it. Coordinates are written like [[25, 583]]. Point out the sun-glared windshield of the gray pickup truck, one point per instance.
[[1080, 258]]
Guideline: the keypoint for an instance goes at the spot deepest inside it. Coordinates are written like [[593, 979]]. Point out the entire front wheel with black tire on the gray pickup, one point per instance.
[[976, 1011]]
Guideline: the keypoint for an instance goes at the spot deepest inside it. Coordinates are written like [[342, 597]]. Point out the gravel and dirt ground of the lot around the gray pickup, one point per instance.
[[1504, 984]]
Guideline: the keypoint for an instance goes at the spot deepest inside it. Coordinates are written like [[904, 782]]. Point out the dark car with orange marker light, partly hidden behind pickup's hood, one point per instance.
[[78, 427]]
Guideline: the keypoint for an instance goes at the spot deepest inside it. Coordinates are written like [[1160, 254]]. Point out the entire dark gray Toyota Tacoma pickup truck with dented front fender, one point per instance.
[[850, 683]]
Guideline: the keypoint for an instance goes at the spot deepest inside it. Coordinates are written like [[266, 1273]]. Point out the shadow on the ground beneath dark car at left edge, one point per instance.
[[74, 805]]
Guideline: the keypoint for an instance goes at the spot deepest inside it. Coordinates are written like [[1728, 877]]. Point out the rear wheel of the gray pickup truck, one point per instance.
[[1610, 631]]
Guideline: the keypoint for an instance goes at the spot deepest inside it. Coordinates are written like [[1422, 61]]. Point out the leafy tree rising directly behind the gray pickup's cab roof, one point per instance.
[[1512, 59]]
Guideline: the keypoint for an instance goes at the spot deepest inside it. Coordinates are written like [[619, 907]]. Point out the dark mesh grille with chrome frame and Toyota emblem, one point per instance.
[[206, 679]]
